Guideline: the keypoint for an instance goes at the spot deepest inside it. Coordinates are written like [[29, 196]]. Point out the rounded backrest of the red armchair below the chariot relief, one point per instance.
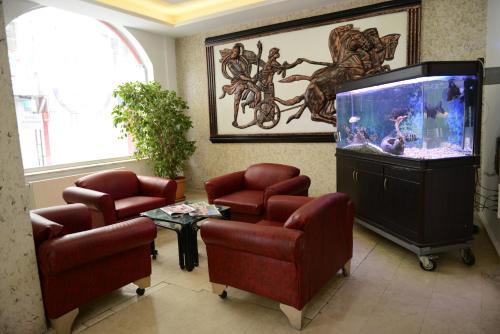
[[260, 176]]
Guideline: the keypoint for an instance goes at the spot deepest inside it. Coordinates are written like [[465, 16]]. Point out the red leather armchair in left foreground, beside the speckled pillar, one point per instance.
[[77, 264]]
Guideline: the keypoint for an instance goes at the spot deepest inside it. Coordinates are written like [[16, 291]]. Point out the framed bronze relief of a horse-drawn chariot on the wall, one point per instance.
[[277, 83]]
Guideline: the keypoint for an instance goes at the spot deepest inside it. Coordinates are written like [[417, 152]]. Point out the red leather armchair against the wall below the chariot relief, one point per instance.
[[246, 192]]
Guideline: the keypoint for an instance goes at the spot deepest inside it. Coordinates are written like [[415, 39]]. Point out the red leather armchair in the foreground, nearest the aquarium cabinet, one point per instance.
[[289, 256]]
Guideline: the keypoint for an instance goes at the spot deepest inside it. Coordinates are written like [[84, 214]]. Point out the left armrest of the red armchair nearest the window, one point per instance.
[[93, 199]]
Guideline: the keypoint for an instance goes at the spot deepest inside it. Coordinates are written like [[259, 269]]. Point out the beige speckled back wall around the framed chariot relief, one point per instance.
[[451, 30]]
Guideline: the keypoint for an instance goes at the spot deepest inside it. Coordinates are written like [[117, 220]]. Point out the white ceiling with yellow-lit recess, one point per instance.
[[179, 18]]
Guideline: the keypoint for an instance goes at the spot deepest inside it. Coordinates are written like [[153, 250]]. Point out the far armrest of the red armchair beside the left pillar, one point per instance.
[[74, 217]]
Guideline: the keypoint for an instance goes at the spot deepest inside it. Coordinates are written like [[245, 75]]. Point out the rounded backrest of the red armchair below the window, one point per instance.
[[117, 183]]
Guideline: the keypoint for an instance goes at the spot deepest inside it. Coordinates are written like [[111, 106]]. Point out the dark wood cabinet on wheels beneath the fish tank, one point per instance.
[[425, 206]]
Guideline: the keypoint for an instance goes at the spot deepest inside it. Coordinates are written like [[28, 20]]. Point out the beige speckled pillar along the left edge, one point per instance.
[[21, 308]]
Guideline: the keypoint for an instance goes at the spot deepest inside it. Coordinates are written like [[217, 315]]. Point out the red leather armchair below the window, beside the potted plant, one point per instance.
[[118, 195]]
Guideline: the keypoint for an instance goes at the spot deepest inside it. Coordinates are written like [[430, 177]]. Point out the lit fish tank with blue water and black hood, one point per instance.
[[426, 111]]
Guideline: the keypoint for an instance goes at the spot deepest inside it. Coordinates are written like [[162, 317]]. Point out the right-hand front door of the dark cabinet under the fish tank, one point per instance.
[[402, 204]]
